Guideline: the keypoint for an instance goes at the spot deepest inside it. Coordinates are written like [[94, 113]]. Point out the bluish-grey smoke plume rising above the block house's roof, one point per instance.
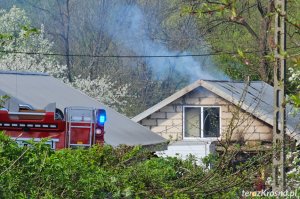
[[126, 25]]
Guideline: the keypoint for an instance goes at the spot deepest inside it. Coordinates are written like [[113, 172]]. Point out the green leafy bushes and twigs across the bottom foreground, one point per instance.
[[106, 172]]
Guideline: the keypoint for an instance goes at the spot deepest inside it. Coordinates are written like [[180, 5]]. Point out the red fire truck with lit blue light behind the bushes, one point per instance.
[[76, 127]]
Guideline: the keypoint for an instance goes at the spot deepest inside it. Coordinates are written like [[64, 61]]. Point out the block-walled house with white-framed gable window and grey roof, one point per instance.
[[199, 117]]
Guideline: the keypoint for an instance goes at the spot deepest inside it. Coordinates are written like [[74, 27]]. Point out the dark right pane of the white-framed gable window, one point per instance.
[[211, 122]]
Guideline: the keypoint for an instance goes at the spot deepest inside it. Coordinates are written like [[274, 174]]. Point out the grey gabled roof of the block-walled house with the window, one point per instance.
[[255, 97]]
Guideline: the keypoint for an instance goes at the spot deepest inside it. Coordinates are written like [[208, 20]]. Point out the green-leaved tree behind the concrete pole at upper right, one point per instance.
[[242, 26]]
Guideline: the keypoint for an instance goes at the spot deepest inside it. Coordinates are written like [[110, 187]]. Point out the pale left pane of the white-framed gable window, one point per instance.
[[192, 122]]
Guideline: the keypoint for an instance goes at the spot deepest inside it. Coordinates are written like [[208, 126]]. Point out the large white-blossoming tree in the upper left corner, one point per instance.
[[21, 38]]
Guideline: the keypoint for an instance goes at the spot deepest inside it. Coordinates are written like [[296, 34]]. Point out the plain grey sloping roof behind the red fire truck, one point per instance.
[[39, 90]]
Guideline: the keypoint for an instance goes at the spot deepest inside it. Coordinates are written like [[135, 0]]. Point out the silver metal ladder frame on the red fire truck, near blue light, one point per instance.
[[79, 118]]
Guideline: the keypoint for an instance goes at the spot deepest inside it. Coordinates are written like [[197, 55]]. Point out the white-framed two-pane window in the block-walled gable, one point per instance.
[[201, 122]]
